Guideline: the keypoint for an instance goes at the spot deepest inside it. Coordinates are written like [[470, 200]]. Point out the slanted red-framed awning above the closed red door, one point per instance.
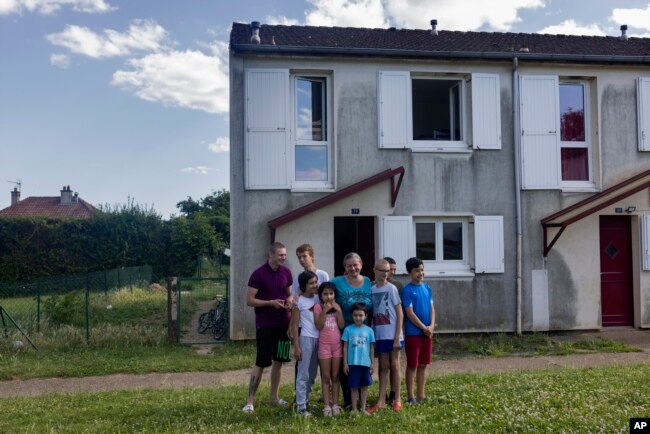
[[595, 203]]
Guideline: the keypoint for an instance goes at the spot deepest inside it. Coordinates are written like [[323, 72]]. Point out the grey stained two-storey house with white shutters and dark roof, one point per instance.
[[517, 166]]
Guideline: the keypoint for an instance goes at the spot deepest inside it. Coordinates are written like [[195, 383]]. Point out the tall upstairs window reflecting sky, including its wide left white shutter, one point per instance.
[[288, 132]]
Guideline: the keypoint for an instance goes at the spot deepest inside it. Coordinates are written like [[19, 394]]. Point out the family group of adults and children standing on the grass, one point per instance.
[[341, 325]]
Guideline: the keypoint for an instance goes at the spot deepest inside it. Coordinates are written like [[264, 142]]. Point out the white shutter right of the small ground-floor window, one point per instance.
[[488, 244]]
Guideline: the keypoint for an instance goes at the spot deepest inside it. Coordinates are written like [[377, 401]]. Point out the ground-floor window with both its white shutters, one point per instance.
[[445, 244]]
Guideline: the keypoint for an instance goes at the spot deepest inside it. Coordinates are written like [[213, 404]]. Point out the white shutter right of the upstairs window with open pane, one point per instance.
[[486, 111]]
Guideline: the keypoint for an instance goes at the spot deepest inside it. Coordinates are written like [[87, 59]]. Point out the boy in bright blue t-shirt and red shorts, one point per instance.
[[417, 299]]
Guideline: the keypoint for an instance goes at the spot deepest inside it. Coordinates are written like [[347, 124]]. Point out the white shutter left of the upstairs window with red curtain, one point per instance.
[[540, 132]]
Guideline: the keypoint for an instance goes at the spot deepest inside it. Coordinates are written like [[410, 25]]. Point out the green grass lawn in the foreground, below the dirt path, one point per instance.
[[568, 400]]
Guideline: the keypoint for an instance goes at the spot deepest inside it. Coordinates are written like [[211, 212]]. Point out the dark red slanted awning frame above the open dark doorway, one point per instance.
[[343, 193]]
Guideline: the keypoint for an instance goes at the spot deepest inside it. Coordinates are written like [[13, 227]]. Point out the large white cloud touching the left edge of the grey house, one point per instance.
[[188, 78]]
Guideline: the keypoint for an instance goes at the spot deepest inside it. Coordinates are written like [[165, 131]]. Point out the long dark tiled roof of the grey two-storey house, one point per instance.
[[392, 42]]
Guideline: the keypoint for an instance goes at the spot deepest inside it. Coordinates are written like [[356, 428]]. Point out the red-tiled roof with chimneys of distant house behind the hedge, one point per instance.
[[66, 206]]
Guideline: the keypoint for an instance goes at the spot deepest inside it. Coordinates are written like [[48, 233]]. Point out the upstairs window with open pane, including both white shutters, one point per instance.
[[429, 112]]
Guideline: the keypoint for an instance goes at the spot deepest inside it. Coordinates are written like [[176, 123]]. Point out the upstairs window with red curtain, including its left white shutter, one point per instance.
[[555, 133]]
